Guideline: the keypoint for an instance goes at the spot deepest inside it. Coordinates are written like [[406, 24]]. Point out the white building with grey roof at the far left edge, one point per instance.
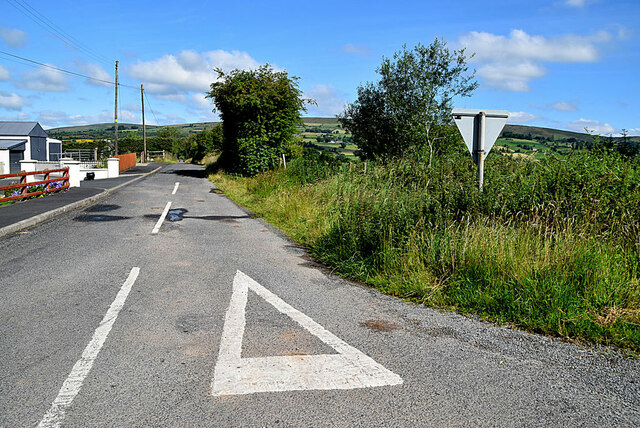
[[25, 141]]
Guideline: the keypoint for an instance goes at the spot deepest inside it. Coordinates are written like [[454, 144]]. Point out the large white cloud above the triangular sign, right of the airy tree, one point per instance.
[[510, 62]]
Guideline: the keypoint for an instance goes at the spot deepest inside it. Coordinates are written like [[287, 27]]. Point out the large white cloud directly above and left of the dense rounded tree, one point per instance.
[[188, 71]]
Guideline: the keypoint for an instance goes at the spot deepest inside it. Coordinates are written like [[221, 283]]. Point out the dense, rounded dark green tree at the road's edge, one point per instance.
[[260, 110]]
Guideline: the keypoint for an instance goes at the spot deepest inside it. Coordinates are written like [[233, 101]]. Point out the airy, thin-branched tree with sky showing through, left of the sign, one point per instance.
[[408, 110]]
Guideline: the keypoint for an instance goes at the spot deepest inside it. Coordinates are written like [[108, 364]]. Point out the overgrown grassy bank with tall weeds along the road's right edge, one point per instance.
[[550, 246]]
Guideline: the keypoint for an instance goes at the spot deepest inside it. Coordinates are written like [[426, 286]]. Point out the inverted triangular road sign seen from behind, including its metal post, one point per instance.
[[480, 129]]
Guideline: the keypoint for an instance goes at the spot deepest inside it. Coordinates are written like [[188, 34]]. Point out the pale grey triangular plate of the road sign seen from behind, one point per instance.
[[467, 122]]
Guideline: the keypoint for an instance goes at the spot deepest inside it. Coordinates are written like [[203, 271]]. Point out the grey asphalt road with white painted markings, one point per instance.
[[218, 320]]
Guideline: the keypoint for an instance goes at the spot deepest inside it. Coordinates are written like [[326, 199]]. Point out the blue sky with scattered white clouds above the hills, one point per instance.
[[565, 64]]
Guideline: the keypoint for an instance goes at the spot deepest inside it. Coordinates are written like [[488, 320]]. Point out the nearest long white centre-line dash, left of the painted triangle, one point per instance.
[[73, 383]]
